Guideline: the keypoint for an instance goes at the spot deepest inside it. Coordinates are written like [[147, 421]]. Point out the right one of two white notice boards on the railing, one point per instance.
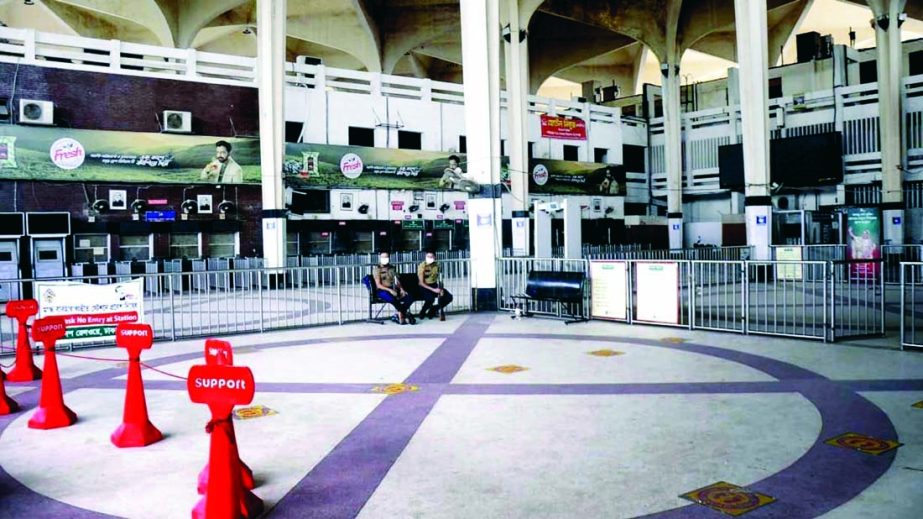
[[658, 292]]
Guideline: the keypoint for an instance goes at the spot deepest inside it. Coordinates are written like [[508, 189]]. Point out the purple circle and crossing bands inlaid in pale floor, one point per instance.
[[798, 490]]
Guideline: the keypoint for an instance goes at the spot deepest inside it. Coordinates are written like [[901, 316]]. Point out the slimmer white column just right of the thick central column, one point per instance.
[[517, 87]]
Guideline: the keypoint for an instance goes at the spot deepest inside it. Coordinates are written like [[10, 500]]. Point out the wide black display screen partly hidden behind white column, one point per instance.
[[807, 161]]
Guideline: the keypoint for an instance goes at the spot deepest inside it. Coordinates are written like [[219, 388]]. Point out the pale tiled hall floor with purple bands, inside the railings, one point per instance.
[[571, 435]]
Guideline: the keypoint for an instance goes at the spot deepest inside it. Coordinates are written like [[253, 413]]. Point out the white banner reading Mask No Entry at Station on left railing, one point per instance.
[[91, 312]]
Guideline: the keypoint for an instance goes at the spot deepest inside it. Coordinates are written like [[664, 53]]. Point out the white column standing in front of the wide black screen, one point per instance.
[[752, 58]]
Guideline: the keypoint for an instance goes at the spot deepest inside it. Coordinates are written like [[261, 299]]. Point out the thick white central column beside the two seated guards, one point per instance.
[[480, 22]]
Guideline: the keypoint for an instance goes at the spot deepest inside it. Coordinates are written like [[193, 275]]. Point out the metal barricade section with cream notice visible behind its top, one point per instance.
[[787, 298]]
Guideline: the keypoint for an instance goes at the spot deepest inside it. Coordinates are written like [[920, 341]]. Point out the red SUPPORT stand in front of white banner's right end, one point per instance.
[[136, 429]]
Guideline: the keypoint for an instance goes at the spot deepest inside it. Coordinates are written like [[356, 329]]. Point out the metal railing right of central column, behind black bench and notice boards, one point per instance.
[[804, 299]]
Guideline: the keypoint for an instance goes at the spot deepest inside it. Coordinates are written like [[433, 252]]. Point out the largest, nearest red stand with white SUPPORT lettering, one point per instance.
[[223, 387]]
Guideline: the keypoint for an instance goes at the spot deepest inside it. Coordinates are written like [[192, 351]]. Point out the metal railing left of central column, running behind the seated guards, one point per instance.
[[182, 305]]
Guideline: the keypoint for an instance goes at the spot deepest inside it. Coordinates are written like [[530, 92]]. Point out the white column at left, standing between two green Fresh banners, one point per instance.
[[271, 80]]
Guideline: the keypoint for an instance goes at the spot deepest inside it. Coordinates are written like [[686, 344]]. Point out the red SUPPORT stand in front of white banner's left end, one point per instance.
[[51, 412]]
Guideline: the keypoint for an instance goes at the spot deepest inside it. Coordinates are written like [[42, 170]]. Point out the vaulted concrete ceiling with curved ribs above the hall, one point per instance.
[[576, 40]]
